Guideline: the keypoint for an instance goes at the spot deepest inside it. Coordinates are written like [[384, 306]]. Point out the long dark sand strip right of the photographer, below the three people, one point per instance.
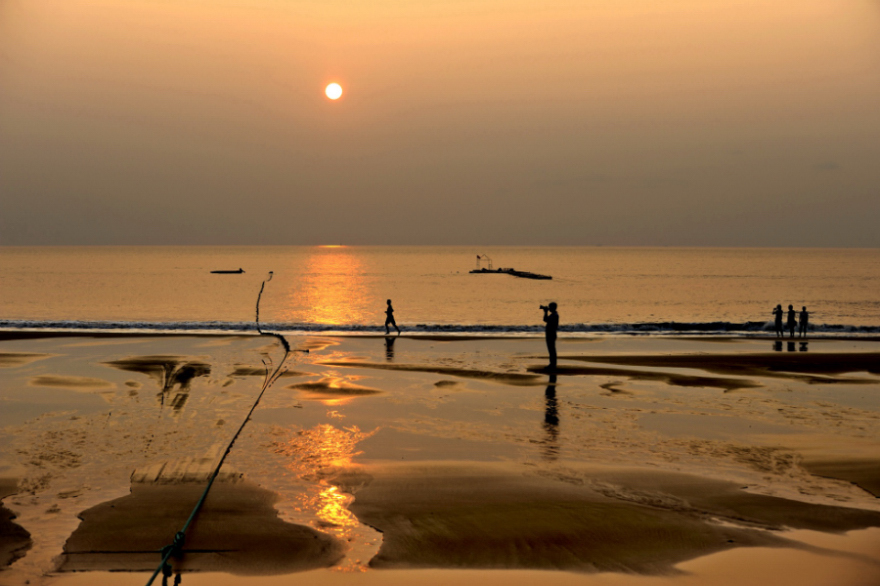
[[774, 364]]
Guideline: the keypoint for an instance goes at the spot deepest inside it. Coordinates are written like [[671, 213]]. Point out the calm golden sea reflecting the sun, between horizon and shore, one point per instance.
[[343, 289]]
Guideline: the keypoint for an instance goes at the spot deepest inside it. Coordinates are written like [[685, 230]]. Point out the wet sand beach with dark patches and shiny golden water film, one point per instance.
[[639, 460]]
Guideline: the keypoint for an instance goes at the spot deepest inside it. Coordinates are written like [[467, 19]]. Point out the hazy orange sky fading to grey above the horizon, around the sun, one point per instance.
[[631, 122]]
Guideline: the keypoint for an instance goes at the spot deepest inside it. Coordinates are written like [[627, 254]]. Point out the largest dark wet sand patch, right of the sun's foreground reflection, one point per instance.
[[464, 516]]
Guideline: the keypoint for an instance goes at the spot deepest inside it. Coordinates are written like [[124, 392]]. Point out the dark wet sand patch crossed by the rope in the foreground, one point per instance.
[[237, 531]]
